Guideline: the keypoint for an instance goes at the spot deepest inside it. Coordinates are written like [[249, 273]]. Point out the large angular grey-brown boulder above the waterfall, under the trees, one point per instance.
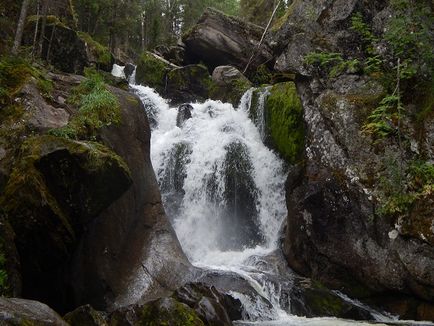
[[219, 40]]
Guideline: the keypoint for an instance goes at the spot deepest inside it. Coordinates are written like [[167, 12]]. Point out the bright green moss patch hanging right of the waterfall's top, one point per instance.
[[285, 121]]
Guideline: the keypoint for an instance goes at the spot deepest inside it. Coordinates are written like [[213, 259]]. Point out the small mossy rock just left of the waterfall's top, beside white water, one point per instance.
[[151, 71]]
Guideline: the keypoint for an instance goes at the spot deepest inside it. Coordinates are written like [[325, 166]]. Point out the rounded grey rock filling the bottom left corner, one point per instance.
[[27, 312]]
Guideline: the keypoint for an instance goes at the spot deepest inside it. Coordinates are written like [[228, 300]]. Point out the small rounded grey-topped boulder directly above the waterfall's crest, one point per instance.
[[230, 83]]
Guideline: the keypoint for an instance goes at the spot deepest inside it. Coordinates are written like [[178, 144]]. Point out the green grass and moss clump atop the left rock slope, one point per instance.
[[98, 108]]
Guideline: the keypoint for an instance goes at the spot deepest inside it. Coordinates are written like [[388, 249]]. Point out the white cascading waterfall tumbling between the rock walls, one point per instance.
[[223, 190]]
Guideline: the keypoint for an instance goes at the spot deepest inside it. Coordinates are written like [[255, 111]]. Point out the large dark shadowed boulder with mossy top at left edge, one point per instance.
[[56, 187]]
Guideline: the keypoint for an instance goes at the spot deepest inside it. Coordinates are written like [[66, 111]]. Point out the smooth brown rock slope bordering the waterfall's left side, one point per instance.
[[131, 249]]
